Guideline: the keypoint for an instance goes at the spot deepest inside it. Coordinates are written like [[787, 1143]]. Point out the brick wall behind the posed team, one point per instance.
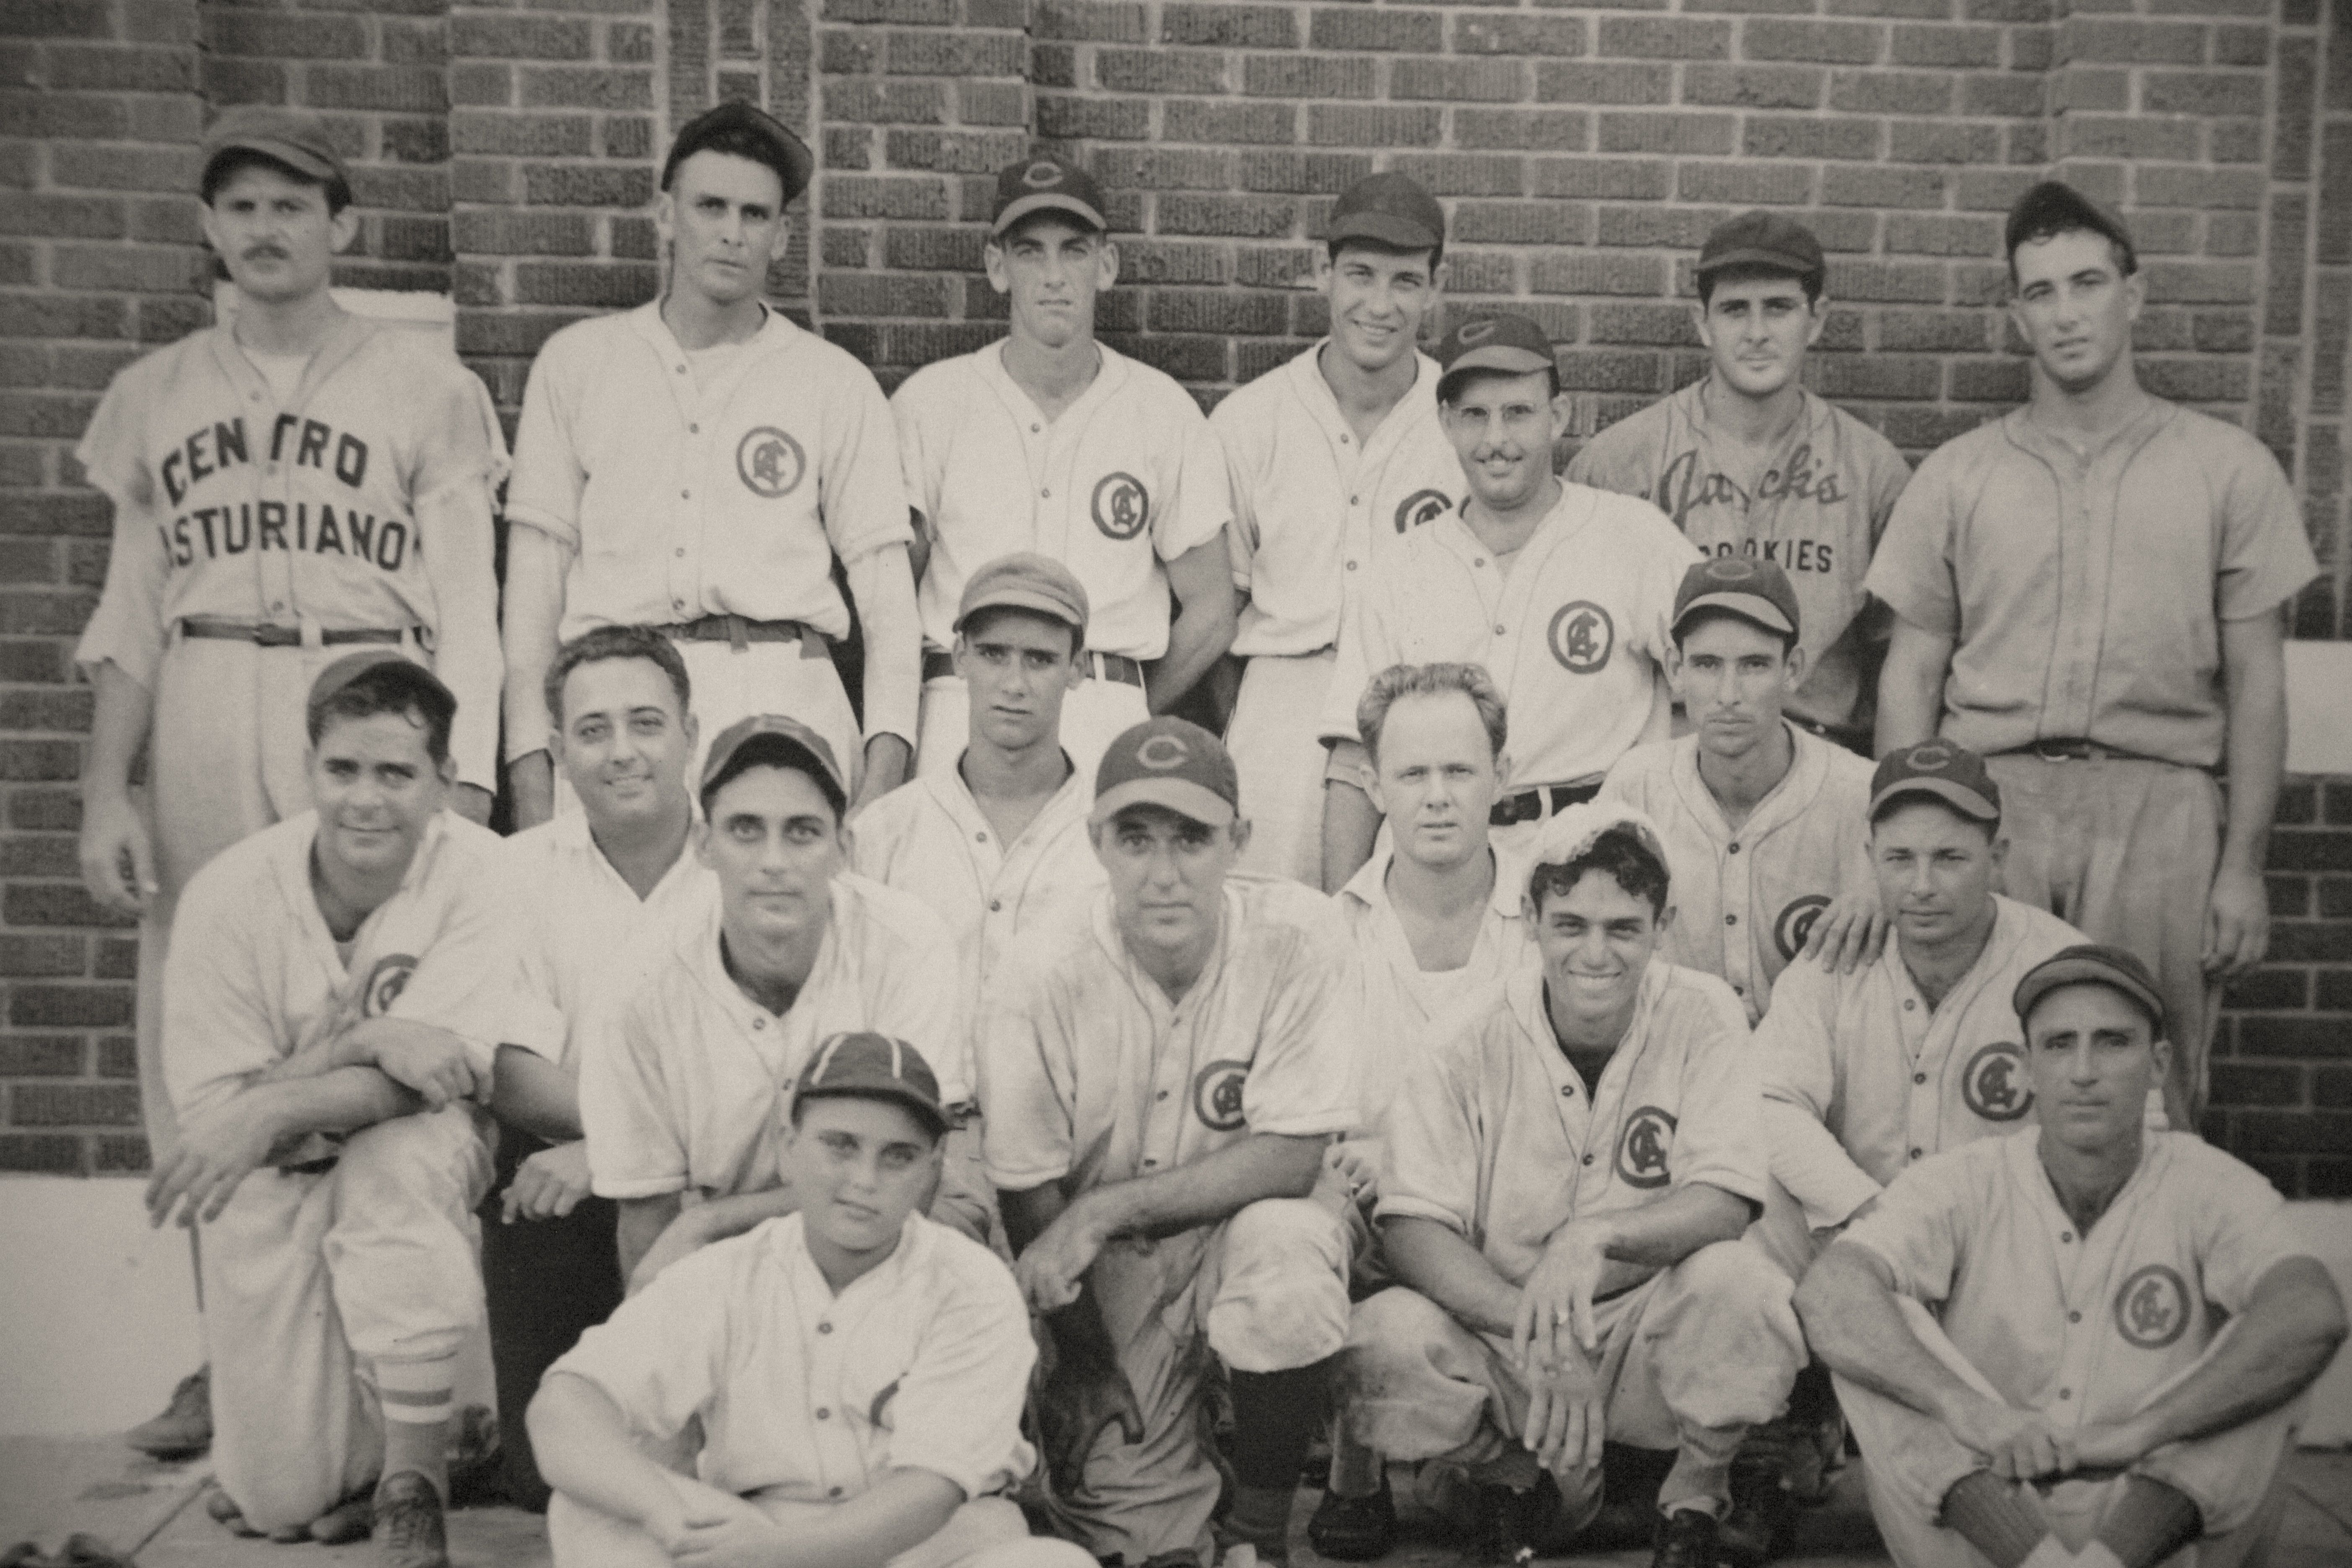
[[509, 154]]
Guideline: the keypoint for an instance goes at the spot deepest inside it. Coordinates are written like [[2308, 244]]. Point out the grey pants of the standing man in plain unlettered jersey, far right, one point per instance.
[[2125, 850]]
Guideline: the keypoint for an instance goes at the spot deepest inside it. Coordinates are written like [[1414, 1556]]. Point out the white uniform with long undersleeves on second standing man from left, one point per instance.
[[728, 495]]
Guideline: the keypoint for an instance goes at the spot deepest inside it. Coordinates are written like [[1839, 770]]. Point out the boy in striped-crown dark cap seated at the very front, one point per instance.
[[857, 1372]]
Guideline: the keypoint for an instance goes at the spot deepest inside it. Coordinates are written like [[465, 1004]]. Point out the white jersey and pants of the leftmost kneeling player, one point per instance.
[[349, 1254]]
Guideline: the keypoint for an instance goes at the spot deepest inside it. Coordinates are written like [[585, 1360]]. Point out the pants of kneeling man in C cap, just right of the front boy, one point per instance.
[[1267, 1292]]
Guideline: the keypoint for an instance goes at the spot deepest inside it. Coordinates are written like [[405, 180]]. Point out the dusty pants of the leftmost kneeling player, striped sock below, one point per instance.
[[312, 1282]]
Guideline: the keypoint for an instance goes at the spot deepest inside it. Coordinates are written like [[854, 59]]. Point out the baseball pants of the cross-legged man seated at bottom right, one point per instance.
[[1911, 1463]]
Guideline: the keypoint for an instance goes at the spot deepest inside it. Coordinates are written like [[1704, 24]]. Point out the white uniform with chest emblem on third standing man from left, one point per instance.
[[1121, 483]]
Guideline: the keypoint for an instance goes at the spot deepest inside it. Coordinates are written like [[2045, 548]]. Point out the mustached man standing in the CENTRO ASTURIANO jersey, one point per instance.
[[276, 483]]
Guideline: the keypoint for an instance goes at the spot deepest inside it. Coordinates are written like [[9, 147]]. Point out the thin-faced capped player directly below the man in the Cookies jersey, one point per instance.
[[1763, 819]]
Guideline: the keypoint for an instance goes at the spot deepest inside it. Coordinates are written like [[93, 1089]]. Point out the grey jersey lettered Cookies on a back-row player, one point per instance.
[[1817, 509]]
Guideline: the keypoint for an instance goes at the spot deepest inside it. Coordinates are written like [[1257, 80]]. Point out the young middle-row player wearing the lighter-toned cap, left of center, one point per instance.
[[998, 845]]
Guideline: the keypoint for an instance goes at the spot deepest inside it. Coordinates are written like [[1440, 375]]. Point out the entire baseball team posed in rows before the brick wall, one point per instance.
[[1328, 953]]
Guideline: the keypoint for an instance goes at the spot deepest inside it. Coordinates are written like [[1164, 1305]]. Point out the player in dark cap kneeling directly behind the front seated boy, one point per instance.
[[681, 1090]]
